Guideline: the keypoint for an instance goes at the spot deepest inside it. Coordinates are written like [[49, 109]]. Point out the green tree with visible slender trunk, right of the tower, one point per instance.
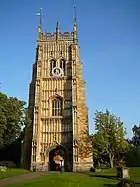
[[109, 138]]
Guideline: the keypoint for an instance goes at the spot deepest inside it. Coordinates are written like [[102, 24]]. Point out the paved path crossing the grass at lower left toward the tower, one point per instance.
[[16, 179]]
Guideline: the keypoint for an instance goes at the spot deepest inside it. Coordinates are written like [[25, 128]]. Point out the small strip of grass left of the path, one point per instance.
[[12, 172]]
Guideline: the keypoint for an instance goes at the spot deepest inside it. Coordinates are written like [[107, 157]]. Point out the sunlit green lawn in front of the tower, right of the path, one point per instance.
[[67, 180]]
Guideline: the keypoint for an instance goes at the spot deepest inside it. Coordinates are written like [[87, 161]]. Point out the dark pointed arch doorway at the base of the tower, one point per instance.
[[53, 153]]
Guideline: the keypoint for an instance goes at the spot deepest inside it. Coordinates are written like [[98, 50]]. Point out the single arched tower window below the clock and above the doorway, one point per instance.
[[56, 107]]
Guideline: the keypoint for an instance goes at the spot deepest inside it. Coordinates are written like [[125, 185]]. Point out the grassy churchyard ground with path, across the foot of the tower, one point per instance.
[[105, 177]]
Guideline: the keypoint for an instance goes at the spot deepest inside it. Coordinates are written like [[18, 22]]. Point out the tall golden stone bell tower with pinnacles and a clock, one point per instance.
[[56, 104]]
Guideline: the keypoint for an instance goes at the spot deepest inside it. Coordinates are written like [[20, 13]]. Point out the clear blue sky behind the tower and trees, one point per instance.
[[109, 39]]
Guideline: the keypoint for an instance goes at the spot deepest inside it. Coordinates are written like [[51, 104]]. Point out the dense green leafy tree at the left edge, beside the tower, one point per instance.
[[12, 117]]
